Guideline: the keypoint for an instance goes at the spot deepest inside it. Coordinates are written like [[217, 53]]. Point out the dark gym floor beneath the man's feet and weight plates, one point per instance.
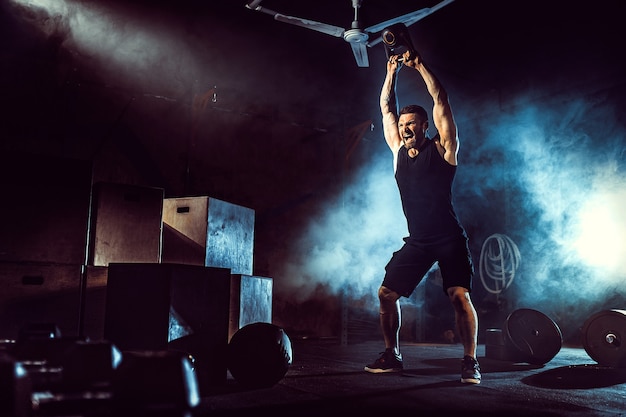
[[327, 378]]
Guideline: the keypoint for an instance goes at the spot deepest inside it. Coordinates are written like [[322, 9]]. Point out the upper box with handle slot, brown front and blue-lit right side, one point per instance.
[[210, 232]]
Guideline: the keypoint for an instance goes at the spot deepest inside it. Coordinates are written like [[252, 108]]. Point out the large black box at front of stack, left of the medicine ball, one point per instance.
[[171, 307]]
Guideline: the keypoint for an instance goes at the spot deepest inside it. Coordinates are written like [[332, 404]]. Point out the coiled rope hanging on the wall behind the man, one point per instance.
[[499, 260]]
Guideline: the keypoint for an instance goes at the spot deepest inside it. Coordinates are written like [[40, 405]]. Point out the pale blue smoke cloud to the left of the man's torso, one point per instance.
[[348, 245]]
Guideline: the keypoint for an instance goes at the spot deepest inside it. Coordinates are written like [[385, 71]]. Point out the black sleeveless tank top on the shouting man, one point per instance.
[[425, 184]]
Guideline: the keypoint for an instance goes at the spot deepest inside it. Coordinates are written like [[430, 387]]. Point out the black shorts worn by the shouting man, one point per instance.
[[409, 265]]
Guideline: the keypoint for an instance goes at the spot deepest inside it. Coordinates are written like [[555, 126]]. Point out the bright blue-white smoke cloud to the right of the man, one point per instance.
[[569, 173]]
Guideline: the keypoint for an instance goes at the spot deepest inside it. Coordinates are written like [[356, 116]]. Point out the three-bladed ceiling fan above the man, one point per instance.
[[357, 37]]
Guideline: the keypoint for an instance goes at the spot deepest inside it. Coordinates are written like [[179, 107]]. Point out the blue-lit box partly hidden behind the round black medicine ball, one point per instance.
[[250, 301]]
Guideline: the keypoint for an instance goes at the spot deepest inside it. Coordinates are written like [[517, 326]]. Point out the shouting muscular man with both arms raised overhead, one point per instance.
[[424, 169]]
